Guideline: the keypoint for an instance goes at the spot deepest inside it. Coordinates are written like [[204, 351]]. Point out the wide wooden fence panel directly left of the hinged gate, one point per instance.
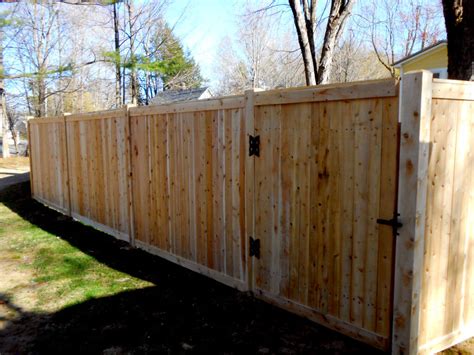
[[188, 171]]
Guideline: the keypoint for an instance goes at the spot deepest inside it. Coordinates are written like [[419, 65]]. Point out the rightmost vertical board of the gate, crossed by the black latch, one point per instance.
[[387, 205]]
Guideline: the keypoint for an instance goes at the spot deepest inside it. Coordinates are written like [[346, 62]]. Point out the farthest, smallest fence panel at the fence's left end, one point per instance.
[[49, 174]]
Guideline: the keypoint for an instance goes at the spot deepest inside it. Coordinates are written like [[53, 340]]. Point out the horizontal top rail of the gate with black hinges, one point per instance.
[[335, 92]]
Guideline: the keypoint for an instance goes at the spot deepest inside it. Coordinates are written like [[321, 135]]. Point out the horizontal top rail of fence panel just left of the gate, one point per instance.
[[195, 105]]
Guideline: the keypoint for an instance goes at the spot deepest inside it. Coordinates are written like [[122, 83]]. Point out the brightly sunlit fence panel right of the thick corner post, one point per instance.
[[447, 289]]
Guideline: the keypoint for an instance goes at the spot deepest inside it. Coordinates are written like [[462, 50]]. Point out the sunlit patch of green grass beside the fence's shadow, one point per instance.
[[62, 274]]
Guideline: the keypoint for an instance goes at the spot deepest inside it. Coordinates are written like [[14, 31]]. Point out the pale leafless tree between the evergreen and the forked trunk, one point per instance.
[[261, 55]]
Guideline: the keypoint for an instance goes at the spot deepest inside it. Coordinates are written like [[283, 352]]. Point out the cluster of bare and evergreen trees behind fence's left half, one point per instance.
[[73, 56]]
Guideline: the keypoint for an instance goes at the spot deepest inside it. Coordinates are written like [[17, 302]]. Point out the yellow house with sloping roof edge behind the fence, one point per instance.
[[433, 58]]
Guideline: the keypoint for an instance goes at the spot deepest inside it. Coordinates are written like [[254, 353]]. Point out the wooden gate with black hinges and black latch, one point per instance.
[[325, 174]]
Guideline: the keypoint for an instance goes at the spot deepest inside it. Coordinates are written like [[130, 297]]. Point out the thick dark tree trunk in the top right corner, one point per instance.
[[458, 15]]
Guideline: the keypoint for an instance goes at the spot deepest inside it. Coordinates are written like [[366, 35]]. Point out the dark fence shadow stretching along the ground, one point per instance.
[[183, 312]]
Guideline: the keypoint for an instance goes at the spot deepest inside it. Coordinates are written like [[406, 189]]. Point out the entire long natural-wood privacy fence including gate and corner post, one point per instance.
[[292, 194]]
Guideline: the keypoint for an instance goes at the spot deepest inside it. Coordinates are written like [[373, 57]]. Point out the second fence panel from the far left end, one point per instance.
[[99, 170]]
